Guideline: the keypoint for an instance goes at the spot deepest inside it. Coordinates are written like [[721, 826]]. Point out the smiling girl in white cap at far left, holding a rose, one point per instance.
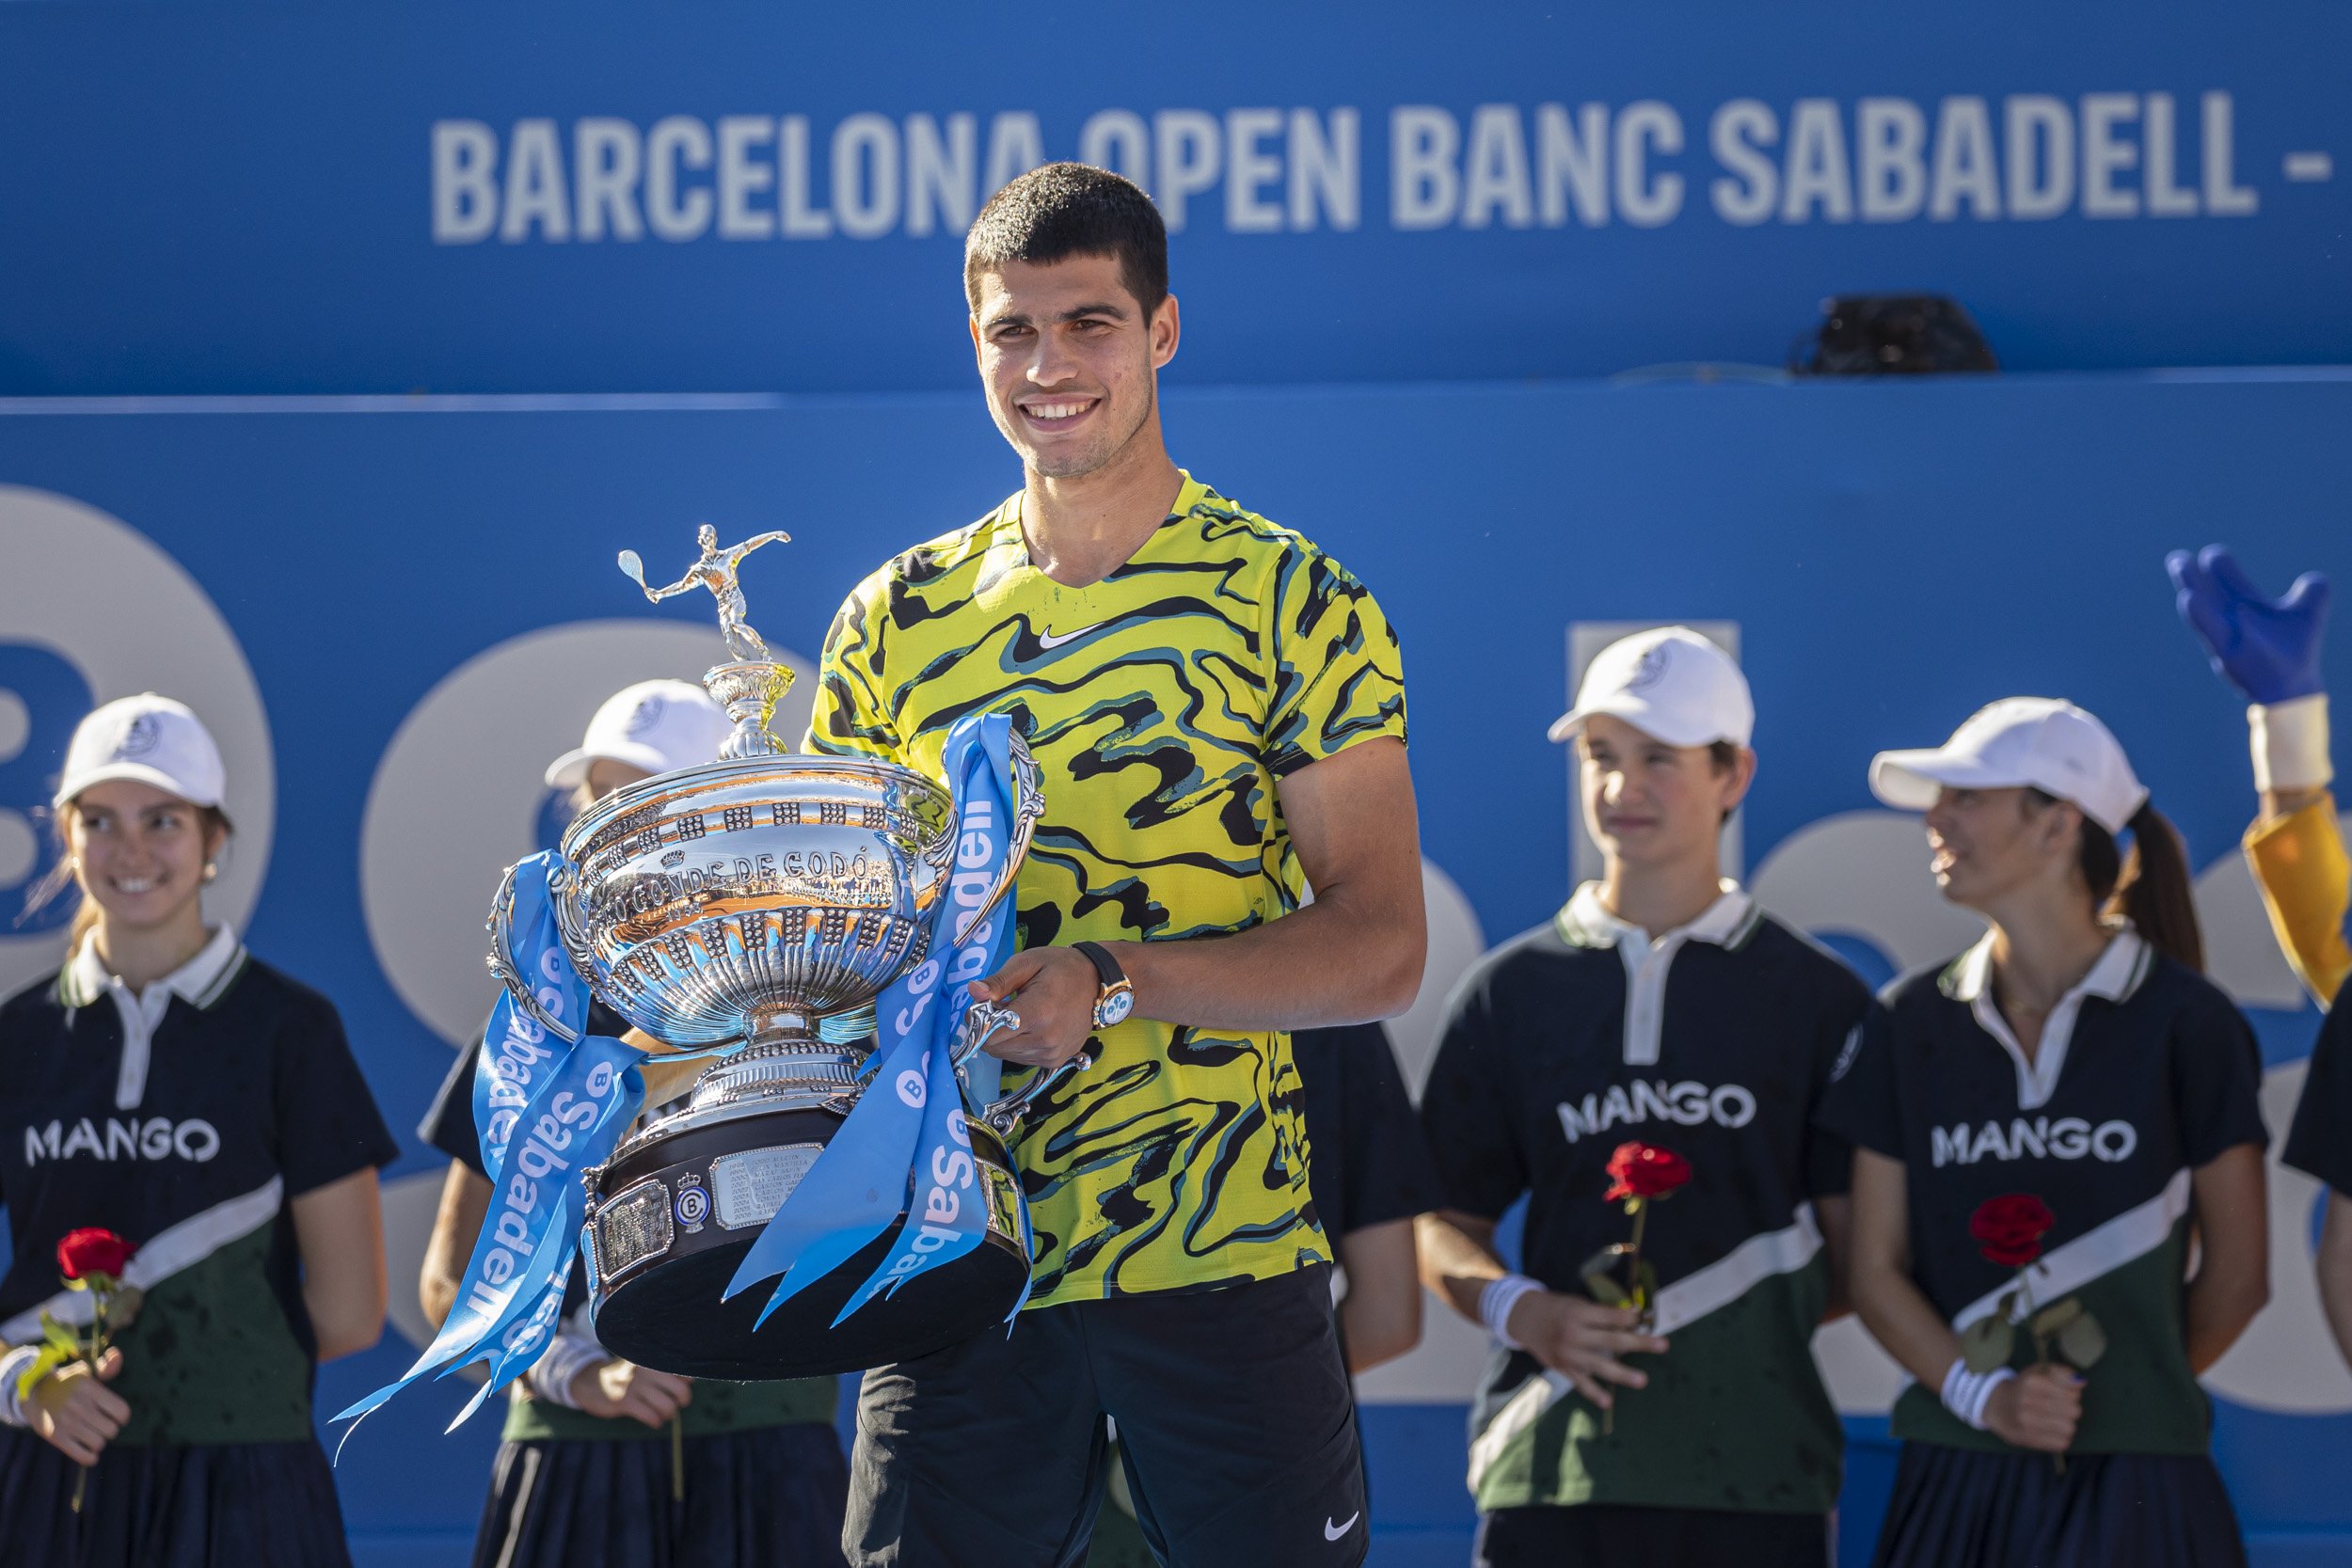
[[192, 1099]]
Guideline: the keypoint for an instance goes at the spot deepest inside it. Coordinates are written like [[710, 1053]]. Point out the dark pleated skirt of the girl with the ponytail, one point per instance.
[[1958, 1508]]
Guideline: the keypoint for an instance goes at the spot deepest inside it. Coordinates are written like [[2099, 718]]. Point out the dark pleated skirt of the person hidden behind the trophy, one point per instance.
[[761, 1499]]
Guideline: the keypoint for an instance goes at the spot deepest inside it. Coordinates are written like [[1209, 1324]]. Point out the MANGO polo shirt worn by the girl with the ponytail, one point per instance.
[[2141, 1076]]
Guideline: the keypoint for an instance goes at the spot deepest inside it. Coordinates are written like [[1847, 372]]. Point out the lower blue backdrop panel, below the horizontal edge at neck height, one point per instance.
[[1892, 556]]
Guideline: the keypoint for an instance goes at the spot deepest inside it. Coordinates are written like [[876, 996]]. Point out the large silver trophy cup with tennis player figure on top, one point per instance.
[[763, 902]]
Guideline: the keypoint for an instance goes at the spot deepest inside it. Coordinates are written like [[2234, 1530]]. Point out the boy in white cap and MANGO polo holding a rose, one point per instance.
[[1659, 1007]]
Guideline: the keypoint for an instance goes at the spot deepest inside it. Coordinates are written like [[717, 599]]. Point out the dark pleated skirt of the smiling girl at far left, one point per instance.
[[222, 1506]]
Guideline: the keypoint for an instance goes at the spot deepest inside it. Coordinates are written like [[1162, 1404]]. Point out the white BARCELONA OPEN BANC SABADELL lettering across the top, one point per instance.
[[1267, 170]]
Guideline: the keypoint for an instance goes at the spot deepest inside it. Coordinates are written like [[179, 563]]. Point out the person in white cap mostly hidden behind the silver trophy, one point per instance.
[[606, 1463]]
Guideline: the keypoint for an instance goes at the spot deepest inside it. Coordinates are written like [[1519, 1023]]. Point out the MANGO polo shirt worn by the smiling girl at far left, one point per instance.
[[192, 1137]]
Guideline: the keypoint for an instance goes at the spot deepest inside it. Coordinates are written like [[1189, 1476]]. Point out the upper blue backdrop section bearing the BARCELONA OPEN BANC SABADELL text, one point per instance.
[[272, 199]]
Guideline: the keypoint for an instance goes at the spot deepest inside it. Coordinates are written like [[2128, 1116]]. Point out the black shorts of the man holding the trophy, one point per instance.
[[1236, 1428]]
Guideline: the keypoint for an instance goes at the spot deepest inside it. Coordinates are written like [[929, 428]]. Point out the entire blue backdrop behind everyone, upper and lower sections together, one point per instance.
[[1410, 246]]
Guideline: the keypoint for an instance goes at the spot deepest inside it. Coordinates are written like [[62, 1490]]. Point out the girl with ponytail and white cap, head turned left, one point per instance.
[[2073, 1057]]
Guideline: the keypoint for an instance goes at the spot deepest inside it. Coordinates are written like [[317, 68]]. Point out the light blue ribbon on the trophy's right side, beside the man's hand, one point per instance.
[[907, 1148]]
